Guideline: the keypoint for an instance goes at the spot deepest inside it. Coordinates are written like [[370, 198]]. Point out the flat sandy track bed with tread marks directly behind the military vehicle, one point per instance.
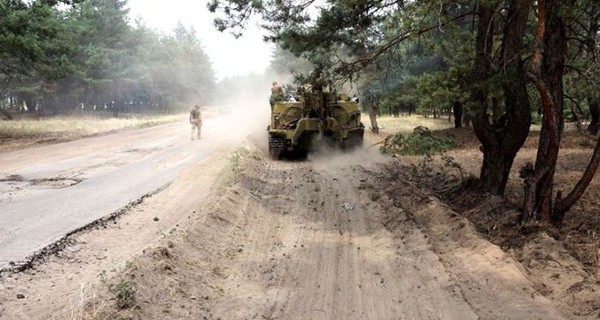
[[317, 249]]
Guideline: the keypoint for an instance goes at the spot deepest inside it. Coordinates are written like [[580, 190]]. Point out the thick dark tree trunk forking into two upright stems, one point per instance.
[[501, 141]]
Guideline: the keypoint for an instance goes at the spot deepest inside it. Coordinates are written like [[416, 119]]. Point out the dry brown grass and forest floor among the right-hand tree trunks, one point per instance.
[[581, 230]]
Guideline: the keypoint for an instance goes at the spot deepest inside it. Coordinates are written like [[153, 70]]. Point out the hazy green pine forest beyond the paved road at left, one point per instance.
[[59, 57]]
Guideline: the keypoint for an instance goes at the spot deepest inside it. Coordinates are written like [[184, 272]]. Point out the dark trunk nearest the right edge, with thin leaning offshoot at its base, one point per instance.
[[547, 75]]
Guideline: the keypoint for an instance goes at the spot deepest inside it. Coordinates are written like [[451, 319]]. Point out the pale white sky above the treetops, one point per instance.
[[230, 57]]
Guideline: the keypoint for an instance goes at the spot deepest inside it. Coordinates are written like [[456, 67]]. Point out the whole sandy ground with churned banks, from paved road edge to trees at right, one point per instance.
[[239, 236]]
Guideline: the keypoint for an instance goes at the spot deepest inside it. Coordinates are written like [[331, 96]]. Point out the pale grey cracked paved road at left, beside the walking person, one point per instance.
[[49, 191]]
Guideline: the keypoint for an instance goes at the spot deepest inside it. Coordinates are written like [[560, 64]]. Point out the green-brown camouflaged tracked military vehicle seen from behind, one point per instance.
[[298, 127]]
